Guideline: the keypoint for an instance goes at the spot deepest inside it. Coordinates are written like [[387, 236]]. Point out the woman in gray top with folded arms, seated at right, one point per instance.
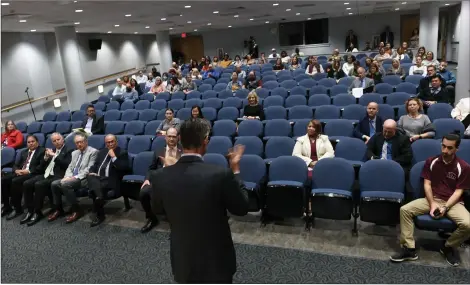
[[414, 124]]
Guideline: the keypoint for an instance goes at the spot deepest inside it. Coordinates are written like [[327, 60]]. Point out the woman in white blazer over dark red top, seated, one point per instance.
[[313, 140]]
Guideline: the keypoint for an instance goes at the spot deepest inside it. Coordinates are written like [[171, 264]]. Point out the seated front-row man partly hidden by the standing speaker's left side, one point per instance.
[[161, 158]]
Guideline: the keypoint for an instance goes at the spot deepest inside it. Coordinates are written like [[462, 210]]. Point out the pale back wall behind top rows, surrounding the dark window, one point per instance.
[[365, 26]]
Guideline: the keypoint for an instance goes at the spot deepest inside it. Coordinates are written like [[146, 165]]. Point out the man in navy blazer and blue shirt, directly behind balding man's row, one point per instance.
[[370, 124]]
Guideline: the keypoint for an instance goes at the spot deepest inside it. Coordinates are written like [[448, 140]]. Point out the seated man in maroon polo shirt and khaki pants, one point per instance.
[[445, 178]]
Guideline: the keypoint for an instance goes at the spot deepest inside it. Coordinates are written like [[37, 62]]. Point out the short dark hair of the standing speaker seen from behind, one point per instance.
[[193, 133]]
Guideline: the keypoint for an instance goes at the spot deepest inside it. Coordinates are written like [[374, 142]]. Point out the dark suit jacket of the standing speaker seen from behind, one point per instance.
[[196, 196]]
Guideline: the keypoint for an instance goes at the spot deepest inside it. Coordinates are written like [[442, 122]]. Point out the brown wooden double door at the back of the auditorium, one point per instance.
[[191, 47]]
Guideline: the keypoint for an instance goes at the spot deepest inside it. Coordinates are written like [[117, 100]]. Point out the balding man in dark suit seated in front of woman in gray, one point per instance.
[[391, 145]]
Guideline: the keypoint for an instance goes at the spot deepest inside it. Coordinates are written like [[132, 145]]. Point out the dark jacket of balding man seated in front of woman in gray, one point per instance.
[[401, 148]]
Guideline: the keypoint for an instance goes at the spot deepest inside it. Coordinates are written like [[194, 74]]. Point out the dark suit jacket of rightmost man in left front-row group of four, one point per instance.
[[117, 169]]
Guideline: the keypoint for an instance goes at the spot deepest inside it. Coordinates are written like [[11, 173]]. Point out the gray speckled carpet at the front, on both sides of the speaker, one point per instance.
[[59, 253]]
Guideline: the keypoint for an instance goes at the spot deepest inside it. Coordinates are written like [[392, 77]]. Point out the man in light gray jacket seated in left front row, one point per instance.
[[75, 178]]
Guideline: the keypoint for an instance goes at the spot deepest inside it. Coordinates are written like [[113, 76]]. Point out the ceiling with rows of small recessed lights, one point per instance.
[[146, 17]]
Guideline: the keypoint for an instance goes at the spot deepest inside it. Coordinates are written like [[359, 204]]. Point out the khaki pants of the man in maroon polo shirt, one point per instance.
[[456, 213]]
